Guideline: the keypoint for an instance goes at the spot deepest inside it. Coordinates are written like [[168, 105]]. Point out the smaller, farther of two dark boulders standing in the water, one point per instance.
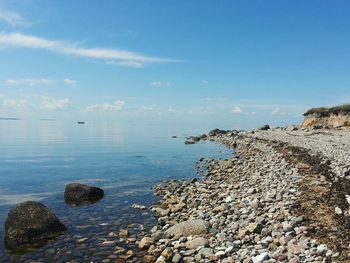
[[77, 194]]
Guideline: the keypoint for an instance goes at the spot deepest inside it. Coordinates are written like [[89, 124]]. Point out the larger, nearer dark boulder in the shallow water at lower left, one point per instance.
[[31, 224]]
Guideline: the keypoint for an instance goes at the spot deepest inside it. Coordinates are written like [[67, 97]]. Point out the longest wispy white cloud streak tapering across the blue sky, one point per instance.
[[110, 56]]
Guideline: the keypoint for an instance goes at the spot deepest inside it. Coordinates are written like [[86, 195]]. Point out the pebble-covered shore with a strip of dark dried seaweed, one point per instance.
[[284, 197]]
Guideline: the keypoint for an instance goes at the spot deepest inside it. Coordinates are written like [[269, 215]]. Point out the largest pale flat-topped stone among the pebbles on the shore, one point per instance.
[[187, 228]]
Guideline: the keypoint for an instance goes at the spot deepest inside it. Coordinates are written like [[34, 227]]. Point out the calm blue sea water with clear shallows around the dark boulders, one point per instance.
[[38, 158]]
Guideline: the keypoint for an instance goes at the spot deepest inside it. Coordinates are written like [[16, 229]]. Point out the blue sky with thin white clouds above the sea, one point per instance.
[[209, 63]]
